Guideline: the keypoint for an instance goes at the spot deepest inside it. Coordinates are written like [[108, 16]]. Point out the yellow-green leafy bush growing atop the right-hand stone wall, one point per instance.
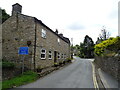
[[112, 44]]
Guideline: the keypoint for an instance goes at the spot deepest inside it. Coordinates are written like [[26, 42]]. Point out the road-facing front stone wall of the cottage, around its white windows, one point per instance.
[[50, 43]]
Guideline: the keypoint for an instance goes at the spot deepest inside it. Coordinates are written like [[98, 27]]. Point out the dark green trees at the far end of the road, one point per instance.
[[85, 49]]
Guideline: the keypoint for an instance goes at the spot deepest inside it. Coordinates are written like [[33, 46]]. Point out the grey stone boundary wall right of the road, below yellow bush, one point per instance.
[[110, 65]]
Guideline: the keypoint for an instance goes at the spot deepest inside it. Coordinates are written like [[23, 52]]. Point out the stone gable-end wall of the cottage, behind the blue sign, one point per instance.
[[16, 31]]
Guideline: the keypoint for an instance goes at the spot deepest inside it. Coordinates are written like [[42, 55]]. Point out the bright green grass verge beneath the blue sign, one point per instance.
[[27, 77]]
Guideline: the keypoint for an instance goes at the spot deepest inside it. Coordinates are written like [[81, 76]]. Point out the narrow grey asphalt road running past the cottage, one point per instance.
[[76, 75]]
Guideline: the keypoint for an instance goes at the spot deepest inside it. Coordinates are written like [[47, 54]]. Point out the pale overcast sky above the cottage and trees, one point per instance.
[[74, 18]]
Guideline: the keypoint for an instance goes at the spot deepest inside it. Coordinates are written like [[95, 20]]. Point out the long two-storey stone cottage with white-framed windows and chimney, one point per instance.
[[46, 47]]
